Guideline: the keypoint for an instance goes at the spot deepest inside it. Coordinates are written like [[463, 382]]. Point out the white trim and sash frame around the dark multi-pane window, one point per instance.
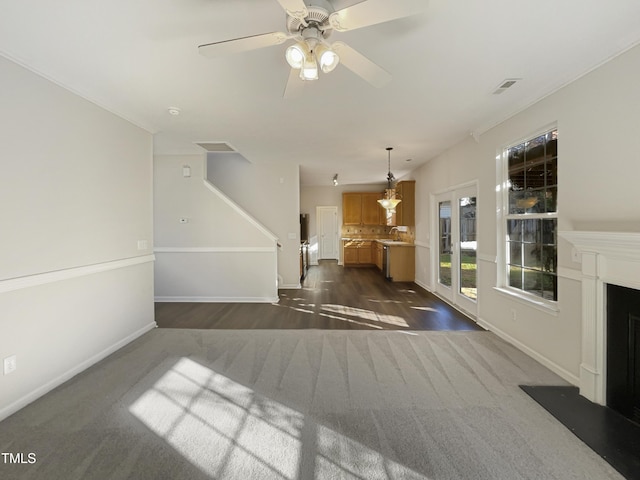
[[502, 215]]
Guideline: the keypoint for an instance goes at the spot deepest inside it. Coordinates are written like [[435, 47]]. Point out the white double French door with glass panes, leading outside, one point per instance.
[[455, 254]]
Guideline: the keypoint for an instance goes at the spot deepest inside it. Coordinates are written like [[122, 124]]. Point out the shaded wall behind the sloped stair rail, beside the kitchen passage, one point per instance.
[[270, 193]]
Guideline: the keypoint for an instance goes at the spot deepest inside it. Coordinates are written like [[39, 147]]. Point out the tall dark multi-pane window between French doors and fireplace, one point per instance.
[[531, 216]]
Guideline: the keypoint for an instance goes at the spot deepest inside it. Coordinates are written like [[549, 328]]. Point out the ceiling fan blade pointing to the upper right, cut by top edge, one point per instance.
[[372, 12]]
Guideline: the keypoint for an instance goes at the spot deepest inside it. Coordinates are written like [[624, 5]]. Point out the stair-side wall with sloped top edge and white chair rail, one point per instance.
[[221, 254]]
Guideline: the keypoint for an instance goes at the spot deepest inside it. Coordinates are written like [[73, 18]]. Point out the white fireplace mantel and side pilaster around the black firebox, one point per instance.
[[607, 257]]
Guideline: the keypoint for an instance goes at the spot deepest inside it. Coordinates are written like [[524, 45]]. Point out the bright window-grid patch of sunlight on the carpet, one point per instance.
[[229, 431]]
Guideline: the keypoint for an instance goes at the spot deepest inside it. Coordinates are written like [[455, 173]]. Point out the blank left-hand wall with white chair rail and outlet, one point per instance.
[[75, 199]]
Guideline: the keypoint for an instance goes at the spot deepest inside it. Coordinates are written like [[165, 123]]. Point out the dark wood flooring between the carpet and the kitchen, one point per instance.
[[331, 297]]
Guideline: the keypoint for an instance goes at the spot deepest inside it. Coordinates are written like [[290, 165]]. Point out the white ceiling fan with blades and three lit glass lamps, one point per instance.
[[310, 23]]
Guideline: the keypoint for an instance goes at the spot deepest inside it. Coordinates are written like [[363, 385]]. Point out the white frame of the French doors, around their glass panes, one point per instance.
[[451, 294]]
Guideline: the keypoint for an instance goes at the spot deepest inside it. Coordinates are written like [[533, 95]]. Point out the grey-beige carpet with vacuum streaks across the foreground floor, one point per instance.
[[230, 404]]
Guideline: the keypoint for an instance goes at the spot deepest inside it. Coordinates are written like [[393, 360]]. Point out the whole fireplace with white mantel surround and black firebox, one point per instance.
[[610, 260]]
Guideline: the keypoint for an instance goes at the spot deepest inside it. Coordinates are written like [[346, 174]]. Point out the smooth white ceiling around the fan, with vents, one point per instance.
[[138, 58]]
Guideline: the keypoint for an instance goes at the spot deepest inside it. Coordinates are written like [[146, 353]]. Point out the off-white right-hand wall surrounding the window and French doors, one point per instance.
[[599, 166]]
